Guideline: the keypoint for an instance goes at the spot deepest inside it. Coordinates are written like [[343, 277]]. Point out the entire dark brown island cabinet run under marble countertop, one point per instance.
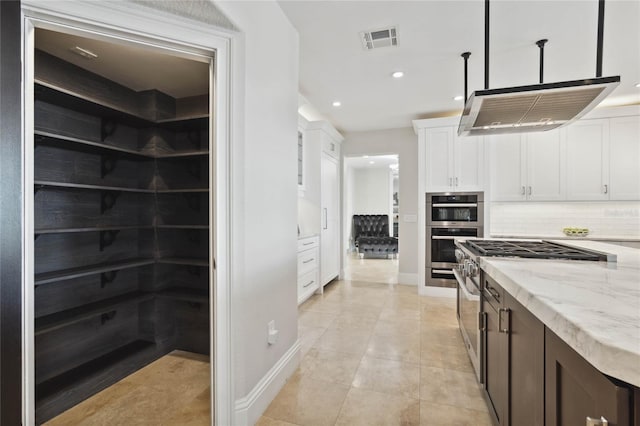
[[533, 378]]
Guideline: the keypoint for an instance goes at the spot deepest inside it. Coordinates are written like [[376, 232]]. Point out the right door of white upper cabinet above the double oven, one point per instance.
[[469, 163]]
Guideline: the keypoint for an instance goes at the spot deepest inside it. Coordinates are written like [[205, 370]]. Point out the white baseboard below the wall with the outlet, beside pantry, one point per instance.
[[250, 408]]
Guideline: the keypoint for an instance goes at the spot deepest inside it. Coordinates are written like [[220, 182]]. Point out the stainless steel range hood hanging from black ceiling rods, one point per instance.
[[532, 108]]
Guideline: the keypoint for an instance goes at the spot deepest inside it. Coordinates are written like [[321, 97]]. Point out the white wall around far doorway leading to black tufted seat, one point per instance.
[[403, 142]]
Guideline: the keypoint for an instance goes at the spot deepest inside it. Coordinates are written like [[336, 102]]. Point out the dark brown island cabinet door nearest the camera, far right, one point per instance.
[[575, 390]]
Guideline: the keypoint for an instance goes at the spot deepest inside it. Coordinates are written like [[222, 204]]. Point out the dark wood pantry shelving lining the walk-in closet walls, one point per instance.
[[121, 212]]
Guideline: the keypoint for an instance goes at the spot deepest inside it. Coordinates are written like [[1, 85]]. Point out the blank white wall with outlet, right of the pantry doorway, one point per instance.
[[264, 188]]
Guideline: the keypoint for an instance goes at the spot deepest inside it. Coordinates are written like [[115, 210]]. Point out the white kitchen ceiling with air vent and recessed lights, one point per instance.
[[431, 36]]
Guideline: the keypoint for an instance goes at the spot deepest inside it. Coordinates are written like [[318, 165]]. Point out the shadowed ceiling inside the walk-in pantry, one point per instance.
[[135, 66]]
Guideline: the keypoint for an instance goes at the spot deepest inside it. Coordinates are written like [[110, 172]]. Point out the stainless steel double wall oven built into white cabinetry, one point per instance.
[[450, 215]]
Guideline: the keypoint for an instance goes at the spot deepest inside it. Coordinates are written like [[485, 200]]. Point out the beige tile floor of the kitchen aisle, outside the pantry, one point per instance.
[[376, 353]]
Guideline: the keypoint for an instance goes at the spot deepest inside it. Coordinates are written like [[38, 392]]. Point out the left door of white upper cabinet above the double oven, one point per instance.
[[439, 151]]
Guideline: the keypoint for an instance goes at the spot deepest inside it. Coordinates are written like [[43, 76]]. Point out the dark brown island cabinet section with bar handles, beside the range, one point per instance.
[[514, 359]]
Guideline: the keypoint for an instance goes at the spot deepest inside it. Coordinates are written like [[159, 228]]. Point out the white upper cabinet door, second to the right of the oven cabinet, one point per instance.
[[545, 171]]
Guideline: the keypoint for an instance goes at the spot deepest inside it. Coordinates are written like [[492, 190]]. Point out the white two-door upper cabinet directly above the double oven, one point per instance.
[[453, 163]]
